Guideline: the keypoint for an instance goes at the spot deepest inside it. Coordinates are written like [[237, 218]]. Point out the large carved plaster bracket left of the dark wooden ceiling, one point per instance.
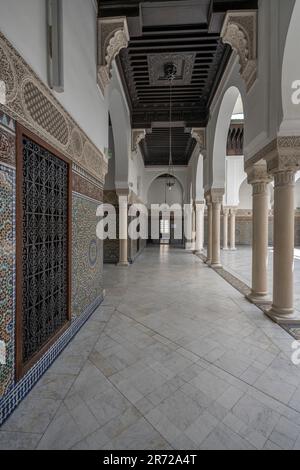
[[112, 37]]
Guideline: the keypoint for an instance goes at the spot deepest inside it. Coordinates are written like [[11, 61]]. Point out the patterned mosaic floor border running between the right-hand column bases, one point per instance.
[[245, 290]]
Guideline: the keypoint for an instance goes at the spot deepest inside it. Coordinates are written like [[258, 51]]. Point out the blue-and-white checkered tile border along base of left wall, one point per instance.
[[19, 392]]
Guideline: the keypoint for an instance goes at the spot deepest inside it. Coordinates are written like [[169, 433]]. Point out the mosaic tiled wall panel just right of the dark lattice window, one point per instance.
[[87, 259]]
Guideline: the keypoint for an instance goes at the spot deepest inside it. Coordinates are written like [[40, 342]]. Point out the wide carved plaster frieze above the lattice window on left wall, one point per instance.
[[30, 102]]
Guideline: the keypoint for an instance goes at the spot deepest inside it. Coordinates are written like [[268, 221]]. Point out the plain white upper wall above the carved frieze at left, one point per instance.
[[24, 25]]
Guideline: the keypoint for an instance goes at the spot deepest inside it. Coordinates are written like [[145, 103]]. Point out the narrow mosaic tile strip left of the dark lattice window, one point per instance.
[[7, 251]]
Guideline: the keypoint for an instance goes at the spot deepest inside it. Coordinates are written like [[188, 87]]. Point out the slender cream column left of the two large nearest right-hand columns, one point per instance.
[[216, 199]]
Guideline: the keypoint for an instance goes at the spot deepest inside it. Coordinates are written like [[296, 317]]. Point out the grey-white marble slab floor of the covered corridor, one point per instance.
[[175, 358]]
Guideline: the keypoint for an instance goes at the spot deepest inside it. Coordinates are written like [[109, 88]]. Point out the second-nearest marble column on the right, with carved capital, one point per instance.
[[259, 179]]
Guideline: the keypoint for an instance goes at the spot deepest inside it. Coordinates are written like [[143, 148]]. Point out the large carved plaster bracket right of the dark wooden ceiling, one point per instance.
[[240, 32]]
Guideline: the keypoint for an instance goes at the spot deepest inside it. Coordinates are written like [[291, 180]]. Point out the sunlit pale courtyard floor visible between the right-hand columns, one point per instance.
[[239, 263]]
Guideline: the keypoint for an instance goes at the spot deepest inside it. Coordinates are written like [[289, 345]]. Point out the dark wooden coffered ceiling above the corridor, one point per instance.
[[187, 33]]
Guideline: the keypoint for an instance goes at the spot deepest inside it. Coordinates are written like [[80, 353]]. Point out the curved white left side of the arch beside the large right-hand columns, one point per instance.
[[221, 134]]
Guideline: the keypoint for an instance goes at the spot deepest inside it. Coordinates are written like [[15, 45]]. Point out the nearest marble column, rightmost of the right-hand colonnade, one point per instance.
[[282, 310]]
